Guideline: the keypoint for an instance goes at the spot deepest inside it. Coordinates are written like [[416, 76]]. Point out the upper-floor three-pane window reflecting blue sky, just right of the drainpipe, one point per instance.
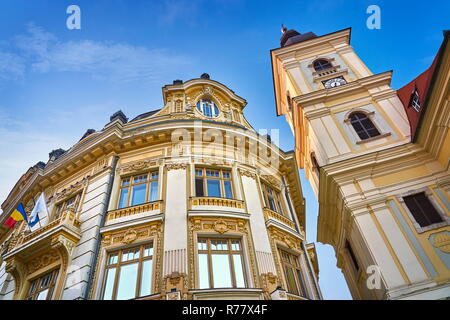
[[138, 189]]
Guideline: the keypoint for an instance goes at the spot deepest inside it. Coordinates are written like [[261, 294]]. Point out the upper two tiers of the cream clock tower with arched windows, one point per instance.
[[336, 107]]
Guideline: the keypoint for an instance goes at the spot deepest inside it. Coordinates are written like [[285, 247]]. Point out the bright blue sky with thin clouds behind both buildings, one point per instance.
[[55, 83]]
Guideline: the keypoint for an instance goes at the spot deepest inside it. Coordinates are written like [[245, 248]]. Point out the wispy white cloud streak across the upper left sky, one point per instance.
[[41, 51]]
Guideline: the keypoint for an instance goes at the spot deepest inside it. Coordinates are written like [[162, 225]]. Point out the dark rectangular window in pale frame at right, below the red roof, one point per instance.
[[422, 209]]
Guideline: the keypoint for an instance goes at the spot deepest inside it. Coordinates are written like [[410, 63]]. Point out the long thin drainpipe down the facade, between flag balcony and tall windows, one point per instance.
[[102, 223]]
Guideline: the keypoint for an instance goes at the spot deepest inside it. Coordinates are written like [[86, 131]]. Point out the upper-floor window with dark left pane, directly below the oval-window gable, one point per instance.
[[213, 183]]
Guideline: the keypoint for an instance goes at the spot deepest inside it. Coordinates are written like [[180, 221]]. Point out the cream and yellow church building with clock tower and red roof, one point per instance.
[[378, 160]]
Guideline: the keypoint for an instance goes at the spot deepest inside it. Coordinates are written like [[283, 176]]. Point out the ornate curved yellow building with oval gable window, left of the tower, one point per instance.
[[185, 202]]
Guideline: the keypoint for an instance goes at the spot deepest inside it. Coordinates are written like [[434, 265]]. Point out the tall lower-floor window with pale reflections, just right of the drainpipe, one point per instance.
[[128, 273]]
